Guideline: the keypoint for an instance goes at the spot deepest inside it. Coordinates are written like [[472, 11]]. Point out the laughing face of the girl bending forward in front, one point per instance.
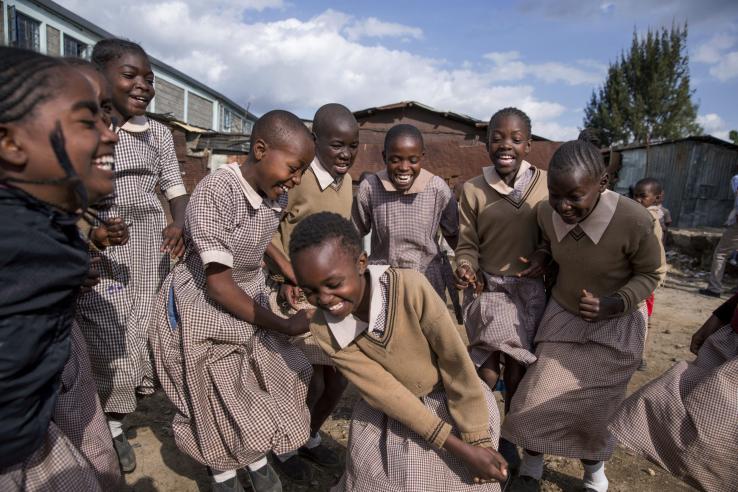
[[331, 278]]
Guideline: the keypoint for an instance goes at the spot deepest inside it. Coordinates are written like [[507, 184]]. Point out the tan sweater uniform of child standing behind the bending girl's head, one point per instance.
[[317, 192]]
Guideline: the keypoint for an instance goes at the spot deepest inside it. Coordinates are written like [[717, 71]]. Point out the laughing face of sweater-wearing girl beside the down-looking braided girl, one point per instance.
[[508, 144]]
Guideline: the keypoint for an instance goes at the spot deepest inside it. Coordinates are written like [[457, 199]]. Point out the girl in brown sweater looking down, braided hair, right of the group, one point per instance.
[[590, 340]]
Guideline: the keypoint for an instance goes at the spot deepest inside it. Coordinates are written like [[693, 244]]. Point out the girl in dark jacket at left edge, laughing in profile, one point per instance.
[[50, 134]]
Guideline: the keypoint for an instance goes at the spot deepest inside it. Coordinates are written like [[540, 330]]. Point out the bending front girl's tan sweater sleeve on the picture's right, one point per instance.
[[466, 401]]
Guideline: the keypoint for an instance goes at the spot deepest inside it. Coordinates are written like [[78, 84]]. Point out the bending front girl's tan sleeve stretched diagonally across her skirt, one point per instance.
[[381, 390]]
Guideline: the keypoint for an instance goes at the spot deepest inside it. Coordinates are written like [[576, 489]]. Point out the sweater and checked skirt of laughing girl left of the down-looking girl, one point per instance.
[[499, 225]]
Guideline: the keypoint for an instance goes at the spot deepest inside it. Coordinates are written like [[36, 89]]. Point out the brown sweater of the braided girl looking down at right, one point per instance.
[[628, 260]]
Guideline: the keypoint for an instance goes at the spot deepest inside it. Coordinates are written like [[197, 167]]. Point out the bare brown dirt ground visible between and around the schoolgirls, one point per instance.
[[678, 313]]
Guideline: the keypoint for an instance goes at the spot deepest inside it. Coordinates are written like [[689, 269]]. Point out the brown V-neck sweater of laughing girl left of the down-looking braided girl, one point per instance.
[[494, 230]]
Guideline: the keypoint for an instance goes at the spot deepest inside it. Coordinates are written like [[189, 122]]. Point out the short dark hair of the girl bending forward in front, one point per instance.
[[318, 228]]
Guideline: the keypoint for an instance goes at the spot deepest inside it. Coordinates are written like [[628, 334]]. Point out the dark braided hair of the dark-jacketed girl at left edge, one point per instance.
[[26, 80]]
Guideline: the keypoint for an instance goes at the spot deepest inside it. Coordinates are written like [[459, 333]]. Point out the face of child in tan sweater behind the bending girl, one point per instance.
[[337, 146]]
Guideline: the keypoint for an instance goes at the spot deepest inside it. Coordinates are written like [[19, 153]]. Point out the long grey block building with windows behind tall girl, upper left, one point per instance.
[[49, 28]]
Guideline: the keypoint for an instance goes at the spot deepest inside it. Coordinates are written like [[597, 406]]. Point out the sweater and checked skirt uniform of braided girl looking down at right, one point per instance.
[[568, 396]]
